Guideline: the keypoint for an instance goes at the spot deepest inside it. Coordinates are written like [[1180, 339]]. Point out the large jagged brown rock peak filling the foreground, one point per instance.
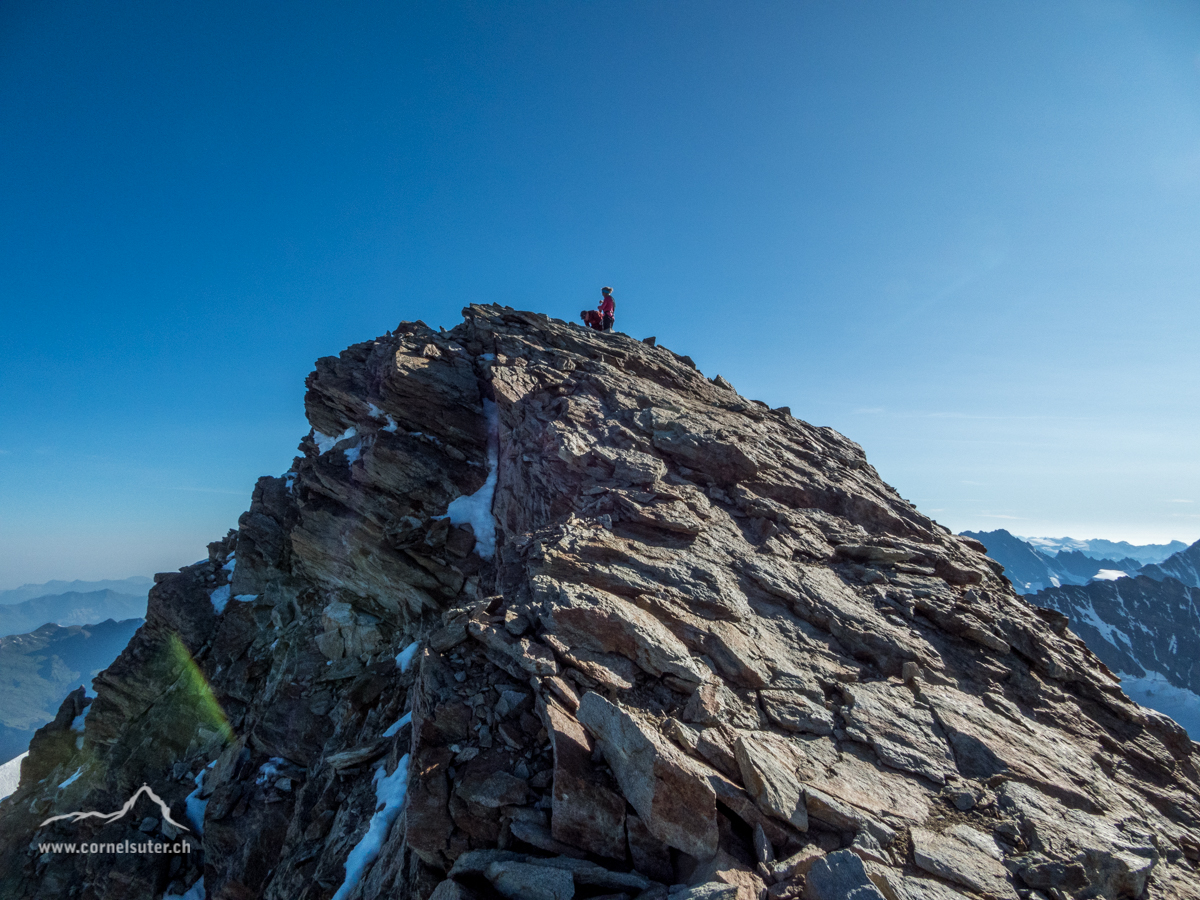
[[712, 651]]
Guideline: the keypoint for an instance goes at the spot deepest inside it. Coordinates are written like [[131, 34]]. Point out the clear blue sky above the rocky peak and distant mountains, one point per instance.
[[965, 235]]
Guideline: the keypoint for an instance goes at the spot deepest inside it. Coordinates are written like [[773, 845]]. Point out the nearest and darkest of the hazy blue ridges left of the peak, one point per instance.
[[39, 669]]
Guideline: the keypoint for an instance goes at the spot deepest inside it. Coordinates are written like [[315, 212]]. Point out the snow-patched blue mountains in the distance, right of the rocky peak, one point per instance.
[[1143, 622]]
